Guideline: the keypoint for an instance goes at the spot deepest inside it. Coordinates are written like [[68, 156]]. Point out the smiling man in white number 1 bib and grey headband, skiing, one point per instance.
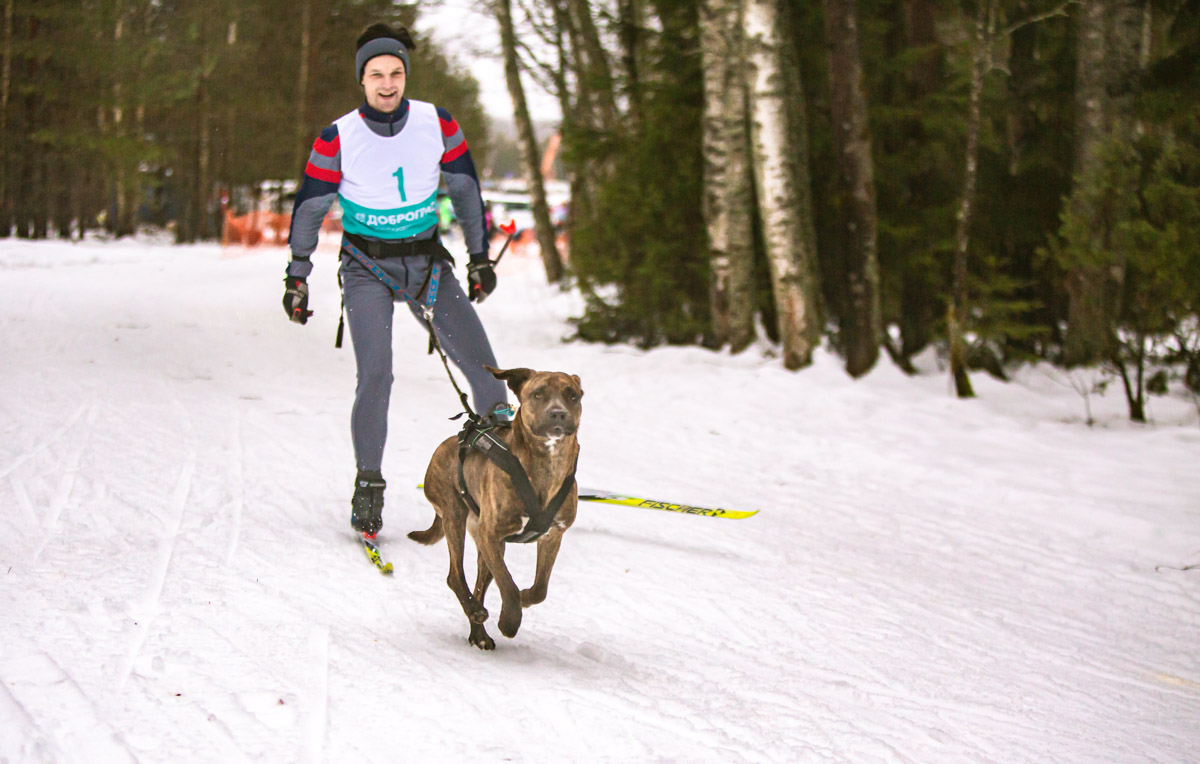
[[383, 161]]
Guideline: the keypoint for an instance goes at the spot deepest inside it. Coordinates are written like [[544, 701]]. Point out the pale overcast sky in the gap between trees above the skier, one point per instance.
[[473, 38]]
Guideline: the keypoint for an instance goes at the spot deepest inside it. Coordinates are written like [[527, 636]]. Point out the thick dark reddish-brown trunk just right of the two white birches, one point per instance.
[[862, 327]]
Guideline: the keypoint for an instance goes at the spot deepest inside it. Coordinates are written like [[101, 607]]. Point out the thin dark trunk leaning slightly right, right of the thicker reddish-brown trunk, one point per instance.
[[957, 312]]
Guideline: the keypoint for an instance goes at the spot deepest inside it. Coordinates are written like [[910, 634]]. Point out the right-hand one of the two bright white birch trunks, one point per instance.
[[790, 258]]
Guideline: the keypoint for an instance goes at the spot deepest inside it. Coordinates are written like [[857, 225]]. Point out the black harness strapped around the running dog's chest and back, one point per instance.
[[477, 435]]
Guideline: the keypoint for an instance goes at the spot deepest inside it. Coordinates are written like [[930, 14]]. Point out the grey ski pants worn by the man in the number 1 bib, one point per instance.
[[369, 311]]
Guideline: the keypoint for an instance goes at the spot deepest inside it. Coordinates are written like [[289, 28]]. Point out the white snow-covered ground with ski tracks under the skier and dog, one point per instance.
[[928, 580]]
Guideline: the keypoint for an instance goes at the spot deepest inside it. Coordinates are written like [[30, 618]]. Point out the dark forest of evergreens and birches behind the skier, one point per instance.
[[1004, 181]]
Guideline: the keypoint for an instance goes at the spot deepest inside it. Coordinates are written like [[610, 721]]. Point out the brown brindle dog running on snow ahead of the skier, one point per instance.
[[543, 437]]
